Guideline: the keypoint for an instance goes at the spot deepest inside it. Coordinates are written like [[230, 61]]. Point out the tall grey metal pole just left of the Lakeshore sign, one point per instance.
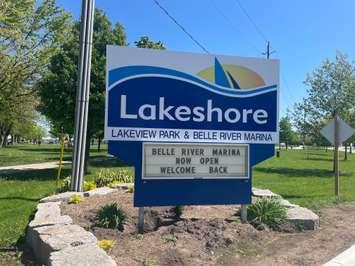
[[82, 95]]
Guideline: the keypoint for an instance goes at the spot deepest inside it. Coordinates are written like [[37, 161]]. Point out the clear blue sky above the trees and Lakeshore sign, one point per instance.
[[303, 33]]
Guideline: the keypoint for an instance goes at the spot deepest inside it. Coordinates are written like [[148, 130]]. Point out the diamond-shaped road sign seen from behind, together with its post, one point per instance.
[[336, 132]]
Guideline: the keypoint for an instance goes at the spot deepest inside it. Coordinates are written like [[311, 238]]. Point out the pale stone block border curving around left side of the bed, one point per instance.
[[56, 241]]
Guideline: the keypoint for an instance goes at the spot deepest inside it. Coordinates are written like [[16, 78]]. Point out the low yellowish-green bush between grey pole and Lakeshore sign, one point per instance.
[[108, 176]]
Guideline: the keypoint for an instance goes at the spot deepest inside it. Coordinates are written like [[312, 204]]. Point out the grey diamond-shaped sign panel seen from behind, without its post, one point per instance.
[[345, 131]]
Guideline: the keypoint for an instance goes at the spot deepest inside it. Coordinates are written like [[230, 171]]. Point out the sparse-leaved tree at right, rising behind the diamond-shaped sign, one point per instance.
[[331, 92]]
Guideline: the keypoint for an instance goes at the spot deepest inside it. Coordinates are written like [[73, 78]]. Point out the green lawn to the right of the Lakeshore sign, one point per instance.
[[306, 177]]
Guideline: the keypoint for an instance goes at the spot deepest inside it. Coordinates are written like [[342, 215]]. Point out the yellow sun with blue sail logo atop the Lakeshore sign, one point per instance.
[[232, 76]]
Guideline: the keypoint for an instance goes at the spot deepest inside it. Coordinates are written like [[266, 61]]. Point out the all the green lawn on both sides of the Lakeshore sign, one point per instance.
[[303, 177]]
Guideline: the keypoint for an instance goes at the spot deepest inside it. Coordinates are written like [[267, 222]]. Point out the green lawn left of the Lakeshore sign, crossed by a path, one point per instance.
[[20, 191]]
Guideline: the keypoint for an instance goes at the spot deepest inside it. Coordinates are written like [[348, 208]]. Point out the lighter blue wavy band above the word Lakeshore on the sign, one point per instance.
[[128, 71]]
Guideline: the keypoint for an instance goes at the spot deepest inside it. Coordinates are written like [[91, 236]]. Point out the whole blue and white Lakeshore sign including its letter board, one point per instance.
[[161, 104]]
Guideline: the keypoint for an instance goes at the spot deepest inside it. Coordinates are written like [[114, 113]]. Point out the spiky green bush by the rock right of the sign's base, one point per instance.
[[267, 211]]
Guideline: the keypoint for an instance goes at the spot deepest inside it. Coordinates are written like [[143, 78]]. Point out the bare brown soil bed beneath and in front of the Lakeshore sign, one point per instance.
[[204, 237]]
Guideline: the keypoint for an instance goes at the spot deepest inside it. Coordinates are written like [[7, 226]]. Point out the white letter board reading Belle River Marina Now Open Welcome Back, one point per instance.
[[182, 161]]
